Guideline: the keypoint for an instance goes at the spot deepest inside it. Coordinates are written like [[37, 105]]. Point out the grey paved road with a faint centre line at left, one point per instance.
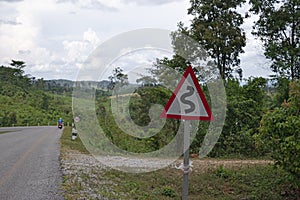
[[29, 163]]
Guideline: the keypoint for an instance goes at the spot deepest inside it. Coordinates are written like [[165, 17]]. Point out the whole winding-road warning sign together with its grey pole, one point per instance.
[[187, 103]]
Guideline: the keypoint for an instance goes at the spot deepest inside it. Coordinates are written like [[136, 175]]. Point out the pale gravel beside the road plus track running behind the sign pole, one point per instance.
[[88, 176]]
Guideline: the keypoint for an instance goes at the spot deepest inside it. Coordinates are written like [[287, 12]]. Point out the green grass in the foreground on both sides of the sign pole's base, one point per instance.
[[260, 182]]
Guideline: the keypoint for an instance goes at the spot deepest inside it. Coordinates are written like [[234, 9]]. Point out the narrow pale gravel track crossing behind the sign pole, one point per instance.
[[74, 160]]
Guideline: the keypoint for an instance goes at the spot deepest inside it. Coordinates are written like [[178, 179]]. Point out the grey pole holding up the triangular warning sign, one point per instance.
[[186, 161]]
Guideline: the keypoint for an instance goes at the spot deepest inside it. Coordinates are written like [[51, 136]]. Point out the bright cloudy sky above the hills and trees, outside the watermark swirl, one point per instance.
[[55, 37]]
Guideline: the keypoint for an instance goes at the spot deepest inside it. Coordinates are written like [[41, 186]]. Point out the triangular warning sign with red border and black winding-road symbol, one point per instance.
[[188, 101]]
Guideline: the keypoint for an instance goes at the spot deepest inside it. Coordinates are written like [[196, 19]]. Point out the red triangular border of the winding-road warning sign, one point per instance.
[[188, 71]]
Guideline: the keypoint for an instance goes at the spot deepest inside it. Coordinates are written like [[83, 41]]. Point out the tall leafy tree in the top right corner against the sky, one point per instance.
[[278, 27]]
